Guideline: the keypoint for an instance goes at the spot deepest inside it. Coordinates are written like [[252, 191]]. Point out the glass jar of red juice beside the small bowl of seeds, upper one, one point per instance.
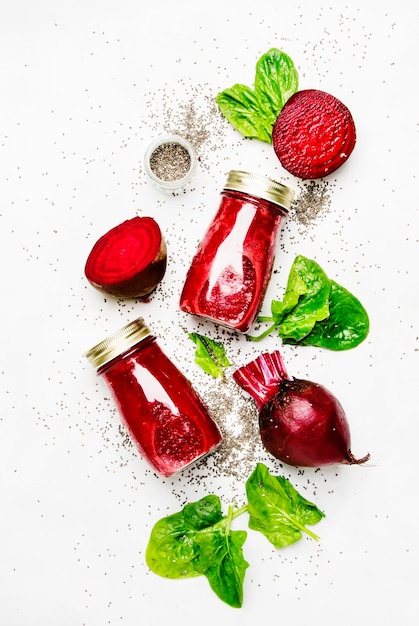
[[229, 274]]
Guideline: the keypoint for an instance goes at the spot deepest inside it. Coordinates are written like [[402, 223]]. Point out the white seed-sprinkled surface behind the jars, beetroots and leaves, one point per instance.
[[85, 86]]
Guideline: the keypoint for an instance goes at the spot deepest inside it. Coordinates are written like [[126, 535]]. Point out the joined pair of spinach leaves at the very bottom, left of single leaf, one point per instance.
[[198, 540]]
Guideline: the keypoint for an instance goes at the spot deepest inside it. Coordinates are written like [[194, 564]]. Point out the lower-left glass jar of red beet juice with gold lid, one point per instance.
[[165, 417]]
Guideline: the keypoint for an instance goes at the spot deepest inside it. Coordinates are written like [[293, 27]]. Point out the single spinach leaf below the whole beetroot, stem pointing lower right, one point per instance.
[[277, 510]]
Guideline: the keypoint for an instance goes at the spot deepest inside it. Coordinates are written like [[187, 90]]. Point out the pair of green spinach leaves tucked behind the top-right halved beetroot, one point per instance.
[[254, 112]]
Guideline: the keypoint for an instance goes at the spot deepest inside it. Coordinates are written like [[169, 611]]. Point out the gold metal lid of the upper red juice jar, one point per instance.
[[260, 186]]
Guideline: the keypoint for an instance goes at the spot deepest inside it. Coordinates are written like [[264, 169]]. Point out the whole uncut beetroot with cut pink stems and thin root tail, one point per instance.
[[301, 423]]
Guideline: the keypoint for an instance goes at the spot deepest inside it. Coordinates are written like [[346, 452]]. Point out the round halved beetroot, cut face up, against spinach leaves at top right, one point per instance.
[[314, 134]]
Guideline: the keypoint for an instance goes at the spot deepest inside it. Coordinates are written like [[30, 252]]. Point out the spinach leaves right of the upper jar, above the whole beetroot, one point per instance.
[[316, 311]]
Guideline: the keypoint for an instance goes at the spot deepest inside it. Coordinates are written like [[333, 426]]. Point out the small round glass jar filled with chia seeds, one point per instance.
[[170, 162]]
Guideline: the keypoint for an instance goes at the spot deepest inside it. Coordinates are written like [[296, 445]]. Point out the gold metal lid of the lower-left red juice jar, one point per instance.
[[119, 342]]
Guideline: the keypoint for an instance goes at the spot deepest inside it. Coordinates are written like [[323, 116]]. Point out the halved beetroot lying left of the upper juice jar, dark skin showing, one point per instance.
[[130, 260]]
